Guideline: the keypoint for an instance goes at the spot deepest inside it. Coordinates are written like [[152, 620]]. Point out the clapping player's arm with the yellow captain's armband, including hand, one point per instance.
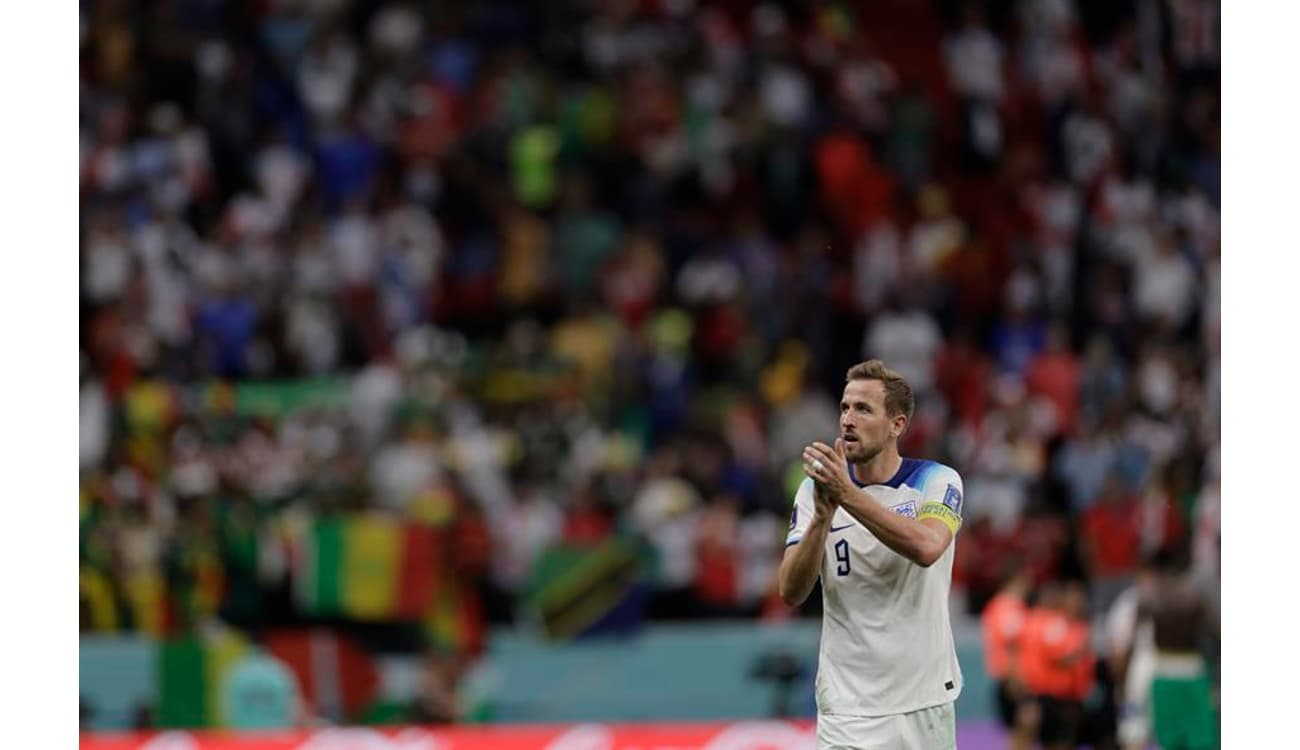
[[922, 540]]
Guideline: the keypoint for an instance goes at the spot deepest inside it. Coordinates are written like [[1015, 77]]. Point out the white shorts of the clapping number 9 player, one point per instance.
[[933, 729]]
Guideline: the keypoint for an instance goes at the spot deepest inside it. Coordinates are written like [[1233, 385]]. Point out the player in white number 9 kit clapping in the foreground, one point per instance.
[[878, 530]]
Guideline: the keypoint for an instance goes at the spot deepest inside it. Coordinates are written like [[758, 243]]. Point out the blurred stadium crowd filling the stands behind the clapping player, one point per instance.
[[551, 274]]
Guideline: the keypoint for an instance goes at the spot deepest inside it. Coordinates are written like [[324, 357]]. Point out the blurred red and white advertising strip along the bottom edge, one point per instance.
[[734, 736]]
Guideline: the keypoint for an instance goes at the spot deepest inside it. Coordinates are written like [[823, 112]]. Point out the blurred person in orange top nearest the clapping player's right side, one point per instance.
[[1003, 623]]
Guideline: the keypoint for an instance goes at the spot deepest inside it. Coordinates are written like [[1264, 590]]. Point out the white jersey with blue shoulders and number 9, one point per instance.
[[887, 643]]
